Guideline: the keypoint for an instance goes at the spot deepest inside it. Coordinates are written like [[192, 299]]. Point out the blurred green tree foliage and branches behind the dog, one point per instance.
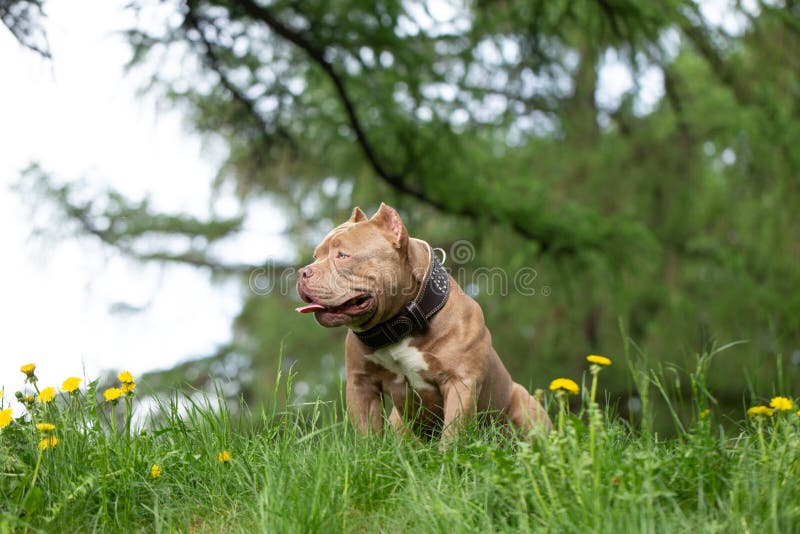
[[486, 122]]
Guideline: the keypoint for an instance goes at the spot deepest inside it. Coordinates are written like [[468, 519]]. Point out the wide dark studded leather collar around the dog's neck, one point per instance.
[[414, 316]]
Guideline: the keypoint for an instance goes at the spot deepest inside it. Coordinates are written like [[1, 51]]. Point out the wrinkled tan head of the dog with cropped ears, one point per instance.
[[354, 268]]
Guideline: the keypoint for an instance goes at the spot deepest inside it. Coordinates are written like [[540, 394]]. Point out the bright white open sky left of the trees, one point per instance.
[[79, 117]]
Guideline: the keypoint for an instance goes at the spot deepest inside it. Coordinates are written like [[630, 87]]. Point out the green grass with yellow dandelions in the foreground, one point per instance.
[[306, 471]]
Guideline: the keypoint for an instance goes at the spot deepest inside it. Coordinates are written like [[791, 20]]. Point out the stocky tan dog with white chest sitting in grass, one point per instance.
[[414, 334]]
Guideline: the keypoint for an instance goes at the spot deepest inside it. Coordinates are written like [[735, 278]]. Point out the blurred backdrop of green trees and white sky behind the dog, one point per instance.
[[170, 164]]
